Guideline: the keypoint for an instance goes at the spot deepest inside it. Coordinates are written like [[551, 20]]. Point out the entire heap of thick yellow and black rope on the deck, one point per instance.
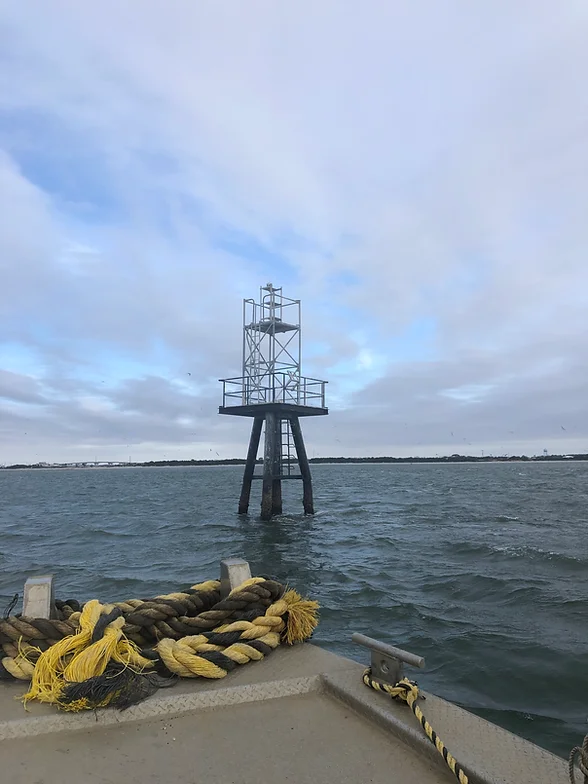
[[89, 660]]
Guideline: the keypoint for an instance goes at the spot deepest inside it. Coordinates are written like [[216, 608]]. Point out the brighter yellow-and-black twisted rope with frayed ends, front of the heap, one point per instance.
[[99, 666]]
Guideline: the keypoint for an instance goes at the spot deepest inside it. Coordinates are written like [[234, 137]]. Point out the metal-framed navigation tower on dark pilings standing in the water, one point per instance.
[[271, 390]]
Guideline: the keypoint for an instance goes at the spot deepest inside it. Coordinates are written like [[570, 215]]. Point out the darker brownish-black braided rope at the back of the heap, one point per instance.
[[22, 640]]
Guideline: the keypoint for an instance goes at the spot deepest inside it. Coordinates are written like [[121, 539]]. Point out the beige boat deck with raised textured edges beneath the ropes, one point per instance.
[[302, 715]]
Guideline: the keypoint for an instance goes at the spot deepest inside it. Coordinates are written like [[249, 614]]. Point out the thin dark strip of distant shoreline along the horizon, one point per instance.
[[314, 460]]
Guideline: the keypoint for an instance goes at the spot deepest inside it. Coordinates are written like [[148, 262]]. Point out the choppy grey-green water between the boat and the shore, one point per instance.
[[481, 568]]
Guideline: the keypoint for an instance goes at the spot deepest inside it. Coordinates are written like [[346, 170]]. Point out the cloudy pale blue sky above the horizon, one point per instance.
[[415, 172]]
